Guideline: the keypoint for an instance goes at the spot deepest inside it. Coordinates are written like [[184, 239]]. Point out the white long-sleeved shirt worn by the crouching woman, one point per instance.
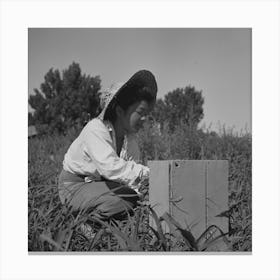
[[93, 153]]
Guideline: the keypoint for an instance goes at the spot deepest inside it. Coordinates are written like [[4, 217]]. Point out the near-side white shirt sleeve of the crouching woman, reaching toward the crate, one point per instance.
[[99, 147]]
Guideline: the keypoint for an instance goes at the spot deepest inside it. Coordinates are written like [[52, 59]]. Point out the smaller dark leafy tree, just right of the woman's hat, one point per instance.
[[182, 105]]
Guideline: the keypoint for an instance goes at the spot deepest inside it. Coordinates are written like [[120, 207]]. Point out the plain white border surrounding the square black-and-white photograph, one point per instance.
[[17, 16]]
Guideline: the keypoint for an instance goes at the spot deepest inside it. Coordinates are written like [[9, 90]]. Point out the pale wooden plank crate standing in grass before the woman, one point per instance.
[[192, 191]]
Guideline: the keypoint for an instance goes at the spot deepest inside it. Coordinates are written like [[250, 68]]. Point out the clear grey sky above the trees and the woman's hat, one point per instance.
[[215, 61]]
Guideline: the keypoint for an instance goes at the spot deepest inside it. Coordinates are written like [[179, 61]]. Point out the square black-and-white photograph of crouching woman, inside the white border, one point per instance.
[[139, 140]]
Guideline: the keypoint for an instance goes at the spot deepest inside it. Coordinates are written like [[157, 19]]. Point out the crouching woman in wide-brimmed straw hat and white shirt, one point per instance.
[[101, 169]]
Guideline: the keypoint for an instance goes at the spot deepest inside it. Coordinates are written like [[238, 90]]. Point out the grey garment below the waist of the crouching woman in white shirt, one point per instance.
[[106, 198]]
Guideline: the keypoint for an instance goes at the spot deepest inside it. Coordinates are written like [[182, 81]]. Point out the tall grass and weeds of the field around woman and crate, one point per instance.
[[53, 227]]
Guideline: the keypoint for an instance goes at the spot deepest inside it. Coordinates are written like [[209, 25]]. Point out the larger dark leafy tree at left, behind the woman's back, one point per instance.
[[65, 101]]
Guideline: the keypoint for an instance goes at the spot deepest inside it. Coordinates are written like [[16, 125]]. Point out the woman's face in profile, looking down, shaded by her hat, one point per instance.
[[135, 115]]
